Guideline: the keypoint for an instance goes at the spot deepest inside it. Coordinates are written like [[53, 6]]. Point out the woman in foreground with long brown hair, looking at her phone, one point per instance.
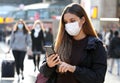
[[80, 56]]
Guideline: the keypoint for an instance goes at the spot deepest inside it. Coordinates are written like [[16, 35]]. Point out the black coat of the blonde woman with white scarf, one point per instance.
[[37, 43]]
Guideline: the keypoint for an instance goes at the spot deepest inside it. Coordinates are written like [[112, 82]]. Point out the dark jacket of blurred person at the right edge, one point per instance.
[[114, 43]]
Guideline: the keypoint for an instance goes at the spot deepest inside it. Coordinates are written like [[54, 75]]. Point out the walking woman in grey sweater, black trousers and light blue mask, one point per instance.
[[20, 40]]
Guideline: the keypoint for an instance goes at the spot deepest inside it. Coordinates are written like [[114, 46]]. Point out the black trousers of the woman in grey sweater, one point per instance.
[[19, 57]]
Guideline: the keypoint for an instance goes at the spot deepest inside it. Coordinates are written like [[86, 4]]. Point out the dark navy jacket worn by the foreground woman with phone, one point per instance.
[[93, 66]]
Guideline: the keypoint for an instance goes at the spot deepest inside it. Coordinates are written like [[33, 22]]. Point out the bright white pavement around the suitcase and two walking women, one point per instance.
[[29, 74]]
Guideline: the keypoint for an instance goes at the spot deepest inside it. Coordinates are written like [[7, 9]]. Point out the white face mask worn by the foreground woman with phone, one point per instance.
[[73, 29]]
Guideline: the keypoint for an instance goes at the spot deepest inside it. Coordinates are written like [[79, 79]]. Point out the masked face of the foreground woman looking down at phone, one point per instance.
[[73, 24]]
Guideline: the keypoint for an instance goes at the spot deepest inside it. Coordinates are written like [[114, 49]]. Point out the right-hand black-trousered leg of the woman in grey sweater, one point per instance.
[[21, 60]]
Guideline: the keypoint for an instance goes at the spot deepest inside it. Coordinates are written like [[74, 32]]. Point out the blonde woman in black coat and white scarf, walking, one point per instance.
[[37, 42]]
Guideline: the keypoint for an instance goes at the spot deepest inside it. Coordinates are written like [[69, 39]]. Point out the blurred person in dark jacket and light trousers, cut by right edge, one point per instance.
[[114, 52]]
